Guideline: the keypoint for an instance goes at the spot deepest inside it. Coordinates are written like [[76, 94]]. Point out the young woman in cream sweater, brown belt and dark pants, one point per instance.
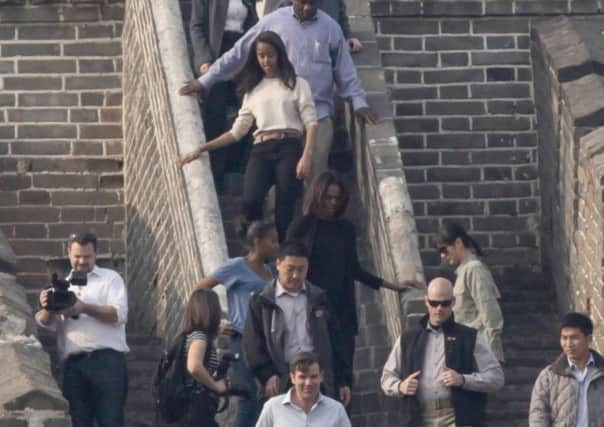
[[282, 107]]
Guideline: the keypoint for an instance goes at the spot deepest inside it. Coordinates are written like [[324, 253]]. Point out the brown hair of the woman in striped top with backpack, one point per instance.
[[203, 313]]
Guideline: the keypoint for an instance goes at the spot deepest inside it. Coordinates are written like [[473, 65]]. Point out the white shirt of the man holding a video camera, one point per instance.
[[85, 334]]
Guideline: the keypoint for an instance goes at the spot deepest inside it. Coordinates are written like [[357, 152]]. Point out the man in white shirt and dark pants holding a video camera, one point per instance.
[[90, 323]]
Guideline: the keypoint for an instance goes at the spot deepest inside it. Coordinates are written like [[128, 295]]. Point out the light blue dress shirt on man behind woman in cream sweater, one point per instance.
[[316, 48]]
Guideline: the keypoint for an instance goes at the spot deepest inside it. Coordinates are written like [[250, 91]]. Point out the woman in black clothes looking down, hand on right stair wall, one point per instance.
[[333, 263]]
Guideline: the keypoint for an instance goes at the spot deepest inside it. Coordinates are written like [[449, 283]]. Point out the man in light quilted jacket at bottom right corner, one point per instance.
[[570, 391]]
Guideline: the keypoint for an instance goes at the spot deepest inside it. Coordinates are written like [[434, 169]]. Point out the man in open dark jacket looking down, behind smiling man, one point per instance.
[[289, 316]]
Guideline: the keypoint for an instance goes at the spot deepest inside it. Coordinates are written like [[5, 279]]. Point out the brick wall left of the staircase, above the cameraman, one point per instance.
[[60, 129]]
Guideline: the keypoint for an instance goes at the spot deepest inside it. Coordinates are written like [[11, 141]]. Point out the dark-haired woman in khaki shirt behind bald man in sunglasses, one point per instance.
[[476, 294]]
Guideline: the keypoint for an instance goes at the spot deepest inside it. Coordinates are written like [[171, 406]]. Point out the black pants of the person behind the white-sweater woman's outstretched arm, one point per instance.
[[222, 98]]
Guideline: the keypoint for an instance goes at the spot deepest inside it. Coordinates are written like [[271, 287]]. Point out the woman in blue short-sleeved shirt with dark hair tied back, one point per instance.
[[243, 276]]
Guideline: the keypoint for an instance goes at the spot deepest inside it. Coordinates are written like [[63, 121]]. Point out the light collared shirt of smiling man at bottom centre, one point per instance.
[[281, 411]]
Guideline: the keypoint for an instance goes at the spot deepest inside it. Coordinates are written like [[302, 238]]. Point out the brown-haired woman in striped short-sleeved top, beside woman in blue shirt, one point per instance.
[[200, 325]]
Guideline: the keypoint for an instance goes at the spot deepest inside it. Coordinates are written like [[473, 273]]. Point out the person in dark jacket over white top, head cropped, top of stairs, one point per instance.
[[215, 27]]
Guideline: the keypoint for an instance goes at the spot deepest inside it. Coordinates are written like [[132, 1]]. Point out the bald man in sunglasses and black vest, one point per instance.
[[442, 369]]
